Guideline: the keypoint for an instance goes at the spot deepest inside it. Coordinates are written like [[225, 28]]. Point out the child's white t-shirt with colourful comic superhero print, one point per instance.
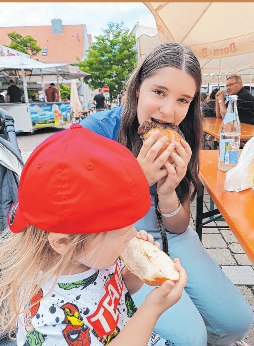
[[84, 309]]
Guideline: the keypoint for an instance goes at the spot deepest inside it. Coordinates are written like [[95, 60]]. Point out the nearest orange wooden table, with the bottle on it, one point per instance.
[[237, 208]]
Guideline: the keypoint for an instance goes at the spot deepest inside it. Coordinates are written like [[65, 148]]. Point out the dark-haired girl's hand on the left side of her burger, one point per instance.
[[153, 167]]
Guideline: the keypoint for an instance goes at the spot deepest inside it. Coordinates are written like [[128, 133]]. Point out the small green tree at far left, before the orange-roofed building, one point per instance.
[[26, 44]]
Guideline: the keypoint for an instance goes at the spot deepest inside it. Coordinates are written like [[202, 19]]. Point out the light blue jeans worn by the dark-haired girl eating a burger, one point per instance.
[[211, 308]]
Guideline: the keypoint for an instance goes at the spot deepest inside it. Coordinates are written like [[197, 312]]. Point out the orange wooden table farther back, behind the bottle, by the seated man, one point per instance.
[[212, 126]]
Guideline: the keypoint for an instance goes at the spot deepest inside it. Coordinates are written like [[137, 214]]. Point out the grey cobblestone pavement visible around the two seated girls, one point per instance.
[[219, 241]]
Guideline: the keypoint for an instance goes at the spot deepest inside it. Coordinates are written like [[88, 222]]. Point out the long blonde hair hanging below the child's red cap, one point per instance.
[[26, 261]]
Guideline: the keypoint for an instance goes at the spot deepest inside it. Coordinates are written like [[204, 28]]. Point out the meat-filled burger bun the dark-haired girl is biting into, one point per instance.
[[147, 128]]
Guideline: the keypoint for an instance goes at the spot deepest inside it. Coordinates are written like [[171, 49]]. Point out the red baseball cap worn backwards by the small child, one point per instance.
[[79, 182]]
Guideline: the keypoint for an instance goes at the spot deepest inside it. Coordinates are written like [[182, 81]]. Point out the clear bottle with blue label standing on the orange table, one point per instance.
[[229, 136]]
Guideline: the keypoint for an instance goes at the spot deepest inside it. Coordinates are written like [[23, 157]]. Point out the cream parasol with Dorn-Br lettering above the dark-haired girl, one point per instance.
[[221, 34]]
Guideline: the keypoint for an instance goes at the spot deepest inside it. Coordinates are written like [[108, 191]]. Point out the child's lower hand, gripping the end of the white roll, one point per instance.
[[162, 298]]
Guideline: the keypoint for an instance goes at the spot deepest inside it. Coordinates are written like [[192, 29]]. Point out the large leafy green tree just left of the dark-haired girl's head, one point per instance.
[[111, 59]]
